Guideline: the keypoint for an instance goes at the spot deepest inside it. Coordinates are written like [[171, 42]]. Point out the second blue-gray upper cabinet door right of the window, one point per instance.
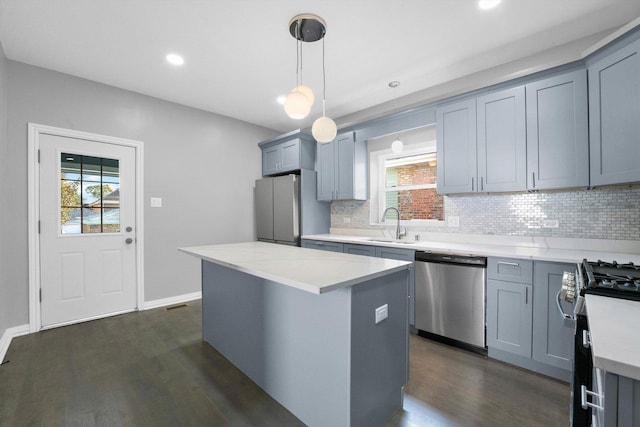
[[502, 143]]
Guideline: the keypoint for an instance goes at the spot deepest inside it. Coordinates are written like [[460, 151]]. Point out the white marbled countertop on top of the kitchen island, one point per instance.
[[306, 269]]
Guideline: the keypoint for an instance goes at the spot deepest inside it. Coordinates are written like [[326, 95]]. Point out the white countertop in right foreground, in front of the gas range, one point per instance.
[[615, 334]]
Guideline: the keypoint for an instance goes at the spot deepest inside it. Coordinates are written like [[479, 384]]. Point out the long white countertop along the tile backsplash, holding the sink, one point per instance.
[[571, 255]]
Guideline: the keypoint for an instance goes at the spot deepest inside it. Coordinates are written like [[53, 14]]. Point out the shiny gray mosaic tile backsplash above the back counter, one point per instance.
[[605, 213]]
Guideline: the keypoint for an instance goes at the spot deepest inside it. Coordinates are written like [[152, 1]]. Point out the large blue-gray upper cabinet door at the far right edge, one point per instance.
[[614, 112]]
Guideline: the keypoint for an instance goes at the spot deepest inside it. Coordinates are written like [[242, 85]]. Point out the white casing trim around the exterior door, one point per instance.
[[35, 130]]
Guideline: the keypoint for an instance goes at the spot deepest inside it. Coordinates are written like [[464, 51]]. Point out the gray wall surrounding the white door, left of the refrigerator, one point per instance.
[[202, 165]]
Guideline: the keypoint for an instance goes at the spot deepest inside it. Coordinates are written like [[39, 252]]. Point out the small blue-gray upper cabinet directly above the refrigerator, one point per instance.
[[286, 153]]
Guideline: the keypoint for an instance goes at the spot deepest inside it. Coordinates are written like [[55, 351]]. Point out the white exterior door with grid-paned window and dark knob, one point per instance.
[[87, 229]]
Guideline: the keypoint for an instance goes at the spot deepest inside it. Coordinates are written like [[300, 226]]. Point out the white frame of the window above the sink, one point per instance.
[[378, 189]]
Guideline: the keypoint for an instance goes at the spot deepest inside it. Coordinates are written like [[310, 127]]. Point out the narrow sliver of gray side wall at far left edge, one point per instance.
[[4, 206]]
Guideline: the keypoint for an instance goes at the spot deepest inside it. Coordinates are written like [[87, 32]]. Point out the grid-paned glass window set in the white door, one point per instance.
[[89, 194]]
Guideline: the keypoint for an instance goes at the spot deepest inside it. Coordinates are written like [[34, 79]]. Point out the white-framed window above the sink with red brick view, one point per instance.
[[407, 182]]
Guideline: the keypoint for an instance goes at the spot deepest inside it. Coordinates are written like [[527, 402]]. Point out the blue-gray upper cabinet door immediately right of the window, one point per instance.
[[456, 147]]
